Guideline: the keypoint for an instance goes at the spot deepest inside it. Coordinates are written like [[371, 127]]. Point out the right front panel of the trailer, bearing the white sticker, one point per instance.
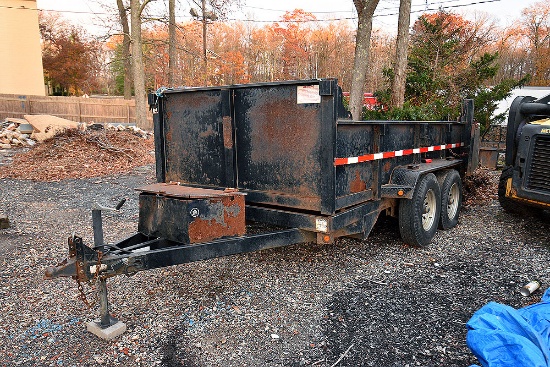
[[278, 144]]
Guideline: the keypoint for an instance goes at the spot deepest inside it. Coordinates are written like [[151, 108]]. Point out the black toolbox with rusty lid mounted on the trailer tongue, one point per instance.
[[190, 215]]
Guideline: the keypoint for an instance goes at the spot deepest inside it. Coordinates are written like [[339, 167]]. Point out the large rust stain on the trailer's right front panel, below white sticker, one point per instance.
[[285, 137]]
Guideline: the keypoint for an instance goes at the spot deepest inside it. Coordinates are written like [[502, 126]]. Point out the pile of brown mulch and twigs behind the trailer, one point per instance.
[[81, 154]]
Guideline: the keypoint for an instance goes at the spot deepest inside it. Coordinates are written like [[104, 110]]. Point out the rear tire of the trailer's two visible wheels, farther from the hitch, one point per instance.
[[450, 184]]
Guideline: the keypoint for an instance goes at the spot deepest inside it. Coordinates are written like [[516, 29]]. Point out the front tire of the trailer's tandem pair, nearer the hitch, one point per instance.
[[419, 216]]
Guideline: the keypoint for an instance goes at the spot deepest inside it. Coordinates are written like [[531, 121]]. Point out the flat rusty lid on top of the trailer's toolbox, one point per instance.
[[186, 192]]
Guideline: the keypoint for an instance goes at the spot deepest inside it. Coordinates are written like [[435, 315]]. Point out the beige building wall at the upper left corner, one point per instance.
[[21, 69]]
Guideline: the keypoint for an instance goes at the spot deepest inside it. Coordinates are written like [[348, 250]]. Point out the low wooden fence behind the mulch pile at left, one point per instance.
[[80, 109]]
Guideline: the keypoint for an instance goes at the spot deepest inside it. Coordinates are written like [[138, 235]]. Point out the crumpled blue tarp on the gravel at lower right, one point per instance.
[[501, 336]]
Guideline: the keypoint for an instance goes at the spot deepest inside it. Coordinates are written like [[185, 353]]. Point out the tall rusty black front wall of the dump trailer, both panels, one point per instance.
[[274, 141]]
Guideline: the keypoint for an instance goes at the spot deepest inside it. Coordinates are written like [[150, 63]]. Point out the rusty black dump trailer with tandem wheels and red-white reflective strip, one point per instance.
[[286, 154]]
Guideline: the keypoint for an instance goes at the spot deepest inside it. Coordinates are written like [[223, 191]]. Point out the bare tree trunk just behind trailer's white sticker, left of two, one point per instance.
[[365, 11]]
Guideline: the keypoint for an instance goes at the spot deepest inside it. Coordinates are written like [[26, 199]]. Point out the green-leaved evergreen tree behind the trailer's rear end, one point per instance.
[[449, 62]]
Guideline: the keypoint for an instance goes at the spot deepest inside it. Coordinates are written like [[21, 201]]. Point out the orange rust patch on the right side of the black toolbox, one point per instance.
[[229, 222]]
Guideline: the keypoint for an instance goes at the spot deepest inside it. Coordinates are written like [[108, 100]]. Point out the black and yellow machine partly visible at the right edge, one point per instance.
[[524, 184]]
